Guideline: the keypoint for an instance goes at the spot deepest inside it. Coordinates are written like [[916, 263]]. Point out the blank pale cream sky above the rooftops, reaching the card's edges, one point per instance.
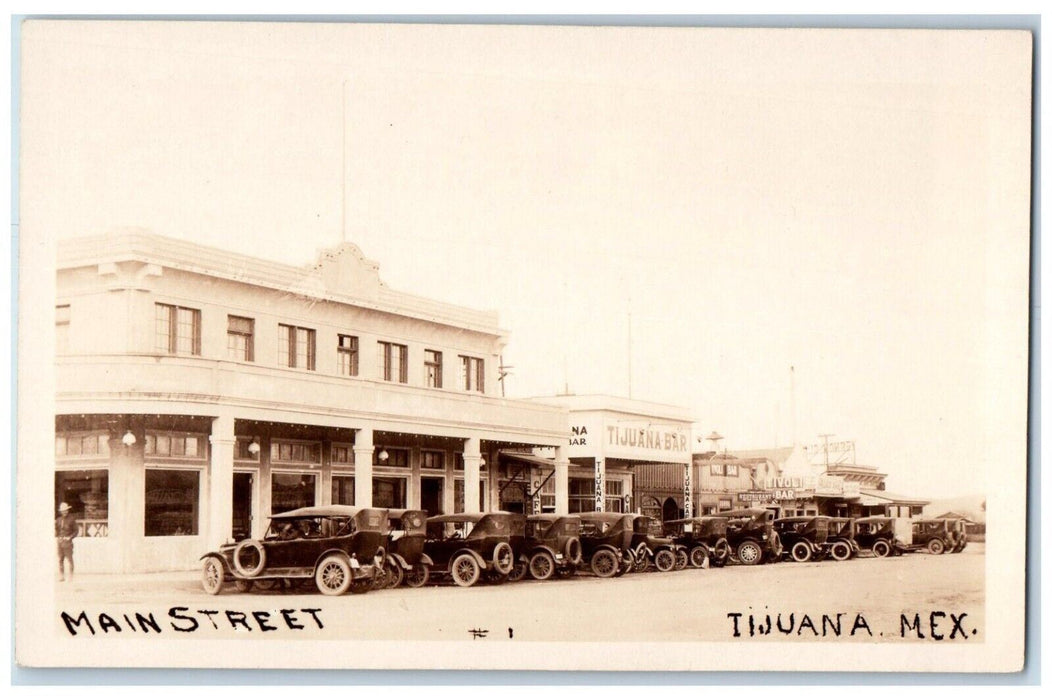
[[680, 215]]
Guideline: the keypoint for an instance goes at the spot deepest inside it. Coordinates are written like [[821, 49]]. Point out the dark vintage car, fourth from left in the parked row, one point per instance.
[[553, 547]]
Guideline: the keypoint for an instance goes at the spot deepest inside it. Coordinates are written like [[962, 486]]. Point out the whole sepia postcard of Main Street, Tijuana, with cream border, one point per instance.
[[510, 347]]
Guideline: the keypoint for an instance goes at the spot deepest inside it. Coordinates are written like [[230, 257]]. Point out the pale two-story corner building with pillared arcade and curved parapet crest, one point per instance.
[[200, 391]]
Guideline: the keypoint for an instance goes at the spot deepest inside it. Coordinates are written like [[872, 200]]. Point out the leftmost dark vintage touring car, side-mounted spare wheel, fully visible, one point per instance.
[[340, 547]]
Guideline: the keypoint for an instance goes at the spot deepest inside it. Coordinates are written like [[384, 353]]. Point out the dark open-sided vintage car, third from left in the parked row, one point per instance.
[[467, 546]]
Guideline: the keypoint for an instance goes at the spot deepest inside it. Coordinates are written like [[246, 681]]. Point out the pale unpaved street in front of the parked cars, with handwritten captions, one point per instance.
[[689, 606]]
